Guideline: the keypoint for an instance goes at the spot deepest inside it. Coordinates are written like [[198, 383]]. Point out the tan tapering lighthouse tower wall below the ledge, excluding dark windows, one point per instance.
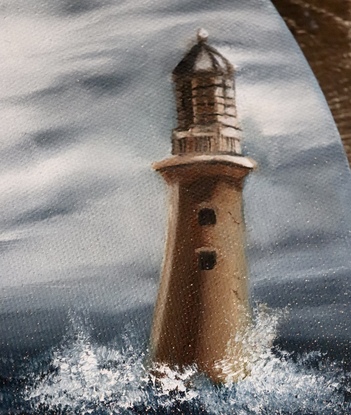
[[199, 311]]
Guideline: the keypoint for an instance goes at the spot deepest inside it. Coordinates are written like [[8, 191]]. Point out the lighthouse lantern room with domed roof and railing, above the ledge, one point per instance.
[[207, 121]]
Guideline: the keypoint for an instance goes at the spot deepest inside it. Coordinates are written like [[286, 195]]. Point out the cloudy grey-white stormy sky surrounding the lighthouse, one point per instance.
[[87, 105]]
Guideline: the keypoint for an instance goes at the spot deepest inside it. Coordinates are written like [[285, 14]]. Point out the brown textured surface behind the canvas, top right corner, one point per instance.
[[323, 30]]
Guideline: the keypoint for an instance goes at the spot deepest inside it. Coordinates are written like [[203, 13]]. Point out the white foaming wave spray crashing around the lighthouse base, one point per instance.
[[86, 378]]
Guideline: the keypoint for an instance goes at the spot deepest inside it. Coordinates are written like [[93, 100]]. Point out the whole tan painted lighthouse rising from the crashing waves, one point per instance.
[[203, 299]]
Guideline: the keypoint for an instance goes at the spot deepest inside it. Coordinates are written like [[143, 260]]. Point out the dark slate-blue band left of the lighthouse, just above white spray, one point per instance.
[[29, 333]]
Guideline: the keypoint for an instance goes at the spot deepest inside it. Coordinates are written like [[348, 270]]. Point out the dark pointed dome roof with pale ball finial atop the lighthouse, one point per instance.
[[203, 59]]
